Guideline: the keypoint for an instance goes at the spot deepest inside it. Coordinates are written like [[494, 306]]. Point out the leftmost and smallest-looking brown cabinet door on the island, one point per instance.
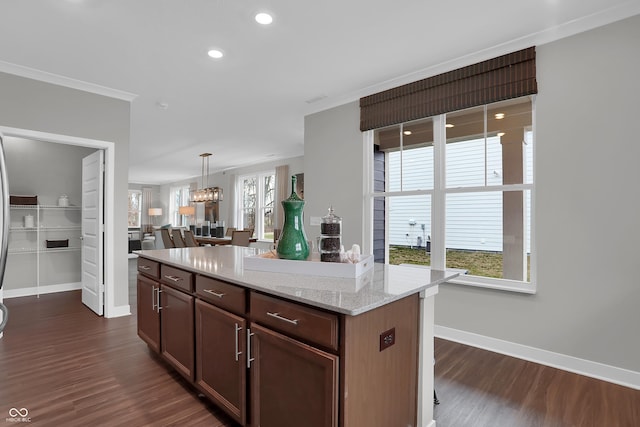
[[148, 317]]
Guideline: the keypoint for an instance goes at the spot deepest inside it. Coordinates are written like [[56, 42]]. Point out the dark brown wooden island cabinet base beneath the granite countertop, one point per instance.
[[272, 362]]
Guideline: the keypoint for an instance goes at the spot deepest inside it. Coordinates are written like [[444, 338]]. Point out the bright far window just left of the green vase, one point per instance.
[[256, 203]]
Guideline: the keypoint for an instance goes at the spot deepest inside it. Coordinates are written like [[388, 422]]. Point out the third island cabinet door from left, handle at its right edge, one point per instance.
[[220, 358]]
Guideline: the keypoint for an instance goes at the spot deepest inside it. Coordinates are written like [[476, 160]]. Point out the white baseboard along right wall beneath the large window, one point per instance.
[[612, 374]]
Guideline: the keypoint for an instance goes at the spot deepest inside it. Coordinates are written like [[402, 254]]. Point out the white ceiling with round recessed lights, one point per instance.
[[249, 107]]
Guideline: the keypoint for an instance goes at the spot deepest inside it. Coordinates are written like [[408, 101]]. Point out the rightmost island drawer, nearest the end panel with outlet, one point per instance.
[[296, 320]]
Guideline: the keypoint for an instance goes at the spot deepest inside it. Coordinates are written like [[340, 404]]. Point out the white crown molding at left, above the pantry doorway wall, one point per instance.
[[43, 76]]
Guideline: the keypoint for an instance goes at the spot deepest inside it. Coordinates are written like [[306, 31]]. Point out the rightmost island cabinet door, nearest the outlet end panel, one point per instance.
[[292, 384]]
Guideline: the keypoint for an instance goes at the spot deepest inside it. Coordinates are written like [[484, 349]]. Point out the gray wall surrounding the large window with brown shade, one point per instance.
[[587, 205]]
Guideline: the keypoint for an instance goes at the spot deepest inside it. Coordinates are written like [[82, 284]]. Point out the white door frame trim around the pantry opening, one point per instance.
[[109, 200]]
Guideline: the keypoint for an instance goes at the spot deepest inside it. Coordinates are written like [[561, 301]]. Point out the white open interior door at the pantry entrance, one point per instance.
[[92, 232]]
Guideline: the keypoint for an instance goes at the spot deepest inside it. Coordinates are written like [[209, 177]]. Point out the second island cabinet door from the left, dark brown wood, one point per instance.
[[176, 326]]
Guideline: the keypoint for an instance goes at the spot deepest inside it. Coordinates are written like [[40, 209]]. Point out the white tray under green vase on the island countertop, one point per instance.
[[309, 268]]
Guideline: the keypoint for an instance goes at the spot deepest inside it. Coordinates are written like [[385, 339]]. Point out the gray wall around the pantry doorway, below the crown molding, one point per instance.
[[33, 105]]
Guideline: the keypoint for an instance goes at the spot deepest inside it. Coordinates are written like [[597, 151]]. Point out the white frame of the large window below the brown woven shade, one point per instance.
[[438, 207]]
